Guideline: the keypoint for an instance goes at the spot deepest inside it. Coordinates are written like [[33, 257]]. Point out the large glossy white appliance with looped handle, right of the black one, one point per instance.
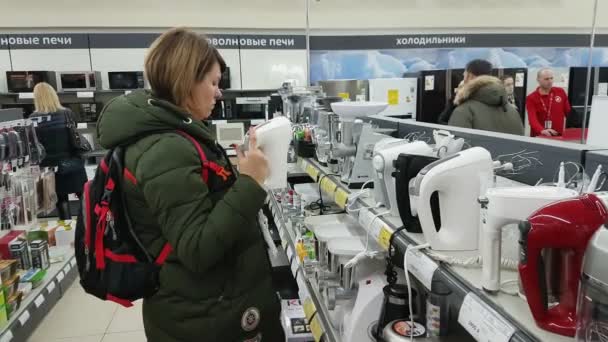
[[459, 180]]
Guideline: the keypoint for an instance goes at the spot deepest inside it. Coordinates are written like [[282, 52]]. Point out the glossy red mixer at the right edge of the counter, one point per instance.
[[565, 227]]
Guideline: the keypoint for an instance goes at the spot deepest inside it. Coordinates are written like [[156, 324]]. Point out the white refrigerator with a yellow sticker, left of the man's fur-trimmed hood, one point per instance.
[[400, 94]]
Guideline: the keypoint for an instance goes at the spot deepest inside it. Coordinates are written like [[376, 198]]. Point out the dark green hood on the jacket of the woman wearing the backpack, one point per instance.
[[139, 114]]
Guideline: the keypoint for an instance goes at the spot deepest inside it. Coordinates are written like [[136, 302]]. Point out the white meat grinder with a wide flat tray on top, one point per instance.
[[356, 140]]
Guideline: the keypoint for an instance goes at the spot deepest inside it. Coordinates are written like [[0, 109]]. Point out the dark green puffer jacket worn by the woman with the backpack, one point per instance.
[[216, 284]]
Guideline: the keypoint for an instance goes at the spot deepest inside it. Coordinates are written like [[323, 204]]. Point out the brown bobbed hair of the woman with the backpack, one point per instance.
[[176, 61]]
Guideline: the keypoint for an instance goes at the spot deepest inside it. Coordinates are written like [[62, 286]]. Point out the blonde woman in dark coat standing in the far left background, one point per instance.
[[55, 135]]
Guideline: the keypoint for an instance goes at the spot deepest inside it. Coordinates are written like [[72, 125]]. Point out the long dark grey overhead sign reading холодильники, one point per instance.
[[374, 42]]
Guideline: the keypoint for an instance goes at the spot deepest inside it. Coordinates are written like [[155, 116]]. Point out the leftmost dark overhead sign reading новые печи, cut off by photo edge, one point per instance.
[[45, 41]]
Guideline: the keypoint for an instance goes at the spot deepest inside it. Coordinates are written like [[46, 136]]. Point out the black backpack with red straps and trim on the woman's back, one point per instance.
[[112, 262]]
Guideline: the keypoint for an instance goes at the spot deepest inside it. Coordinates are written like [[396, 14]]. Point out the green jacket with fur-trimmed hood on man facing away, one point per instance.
[[482, 104]]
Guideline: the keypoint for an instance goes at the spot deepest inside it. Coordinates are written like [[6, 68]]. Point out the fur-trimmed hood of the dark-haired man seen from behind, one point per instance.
[[485, 89]]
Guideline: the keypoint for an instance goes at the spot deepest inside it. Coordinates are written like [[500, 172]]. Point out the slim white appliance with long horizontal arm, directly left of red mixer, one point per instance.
[[503, 207]]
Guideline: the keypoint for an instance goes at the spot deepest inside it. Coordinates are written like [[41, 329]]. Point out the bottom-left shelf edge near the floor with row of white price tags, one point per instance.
[[40, 301]]
